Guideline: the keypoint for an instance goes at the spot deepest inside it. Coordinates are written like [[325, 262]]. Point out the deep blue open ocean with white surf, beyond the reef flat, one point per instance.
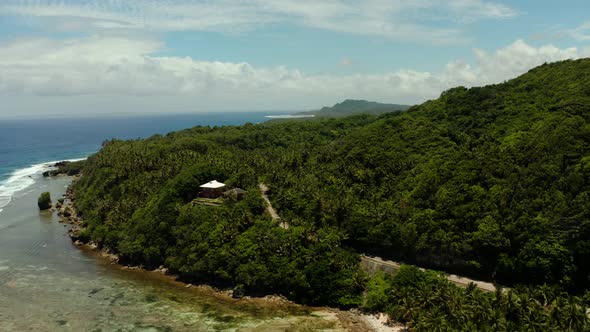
[[30, 146]]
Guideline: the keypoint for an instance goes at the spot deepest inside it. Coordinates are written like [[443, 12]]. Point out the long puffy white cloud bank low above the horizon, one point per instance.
[[102, 68]]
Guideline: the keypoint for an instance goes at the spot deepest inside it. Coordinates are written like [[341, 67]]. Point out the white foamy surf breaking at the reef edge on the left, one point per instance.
[[24, 178]]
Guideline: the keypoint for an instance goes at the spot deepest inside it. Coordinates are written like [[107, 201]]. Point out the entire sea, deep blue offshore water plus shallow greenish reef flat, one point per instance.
[[47, 283]]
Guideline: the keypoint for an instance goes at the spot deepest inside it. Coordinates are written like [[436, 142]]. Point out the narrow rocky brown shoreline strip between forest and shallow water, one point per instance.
[[350, 320]]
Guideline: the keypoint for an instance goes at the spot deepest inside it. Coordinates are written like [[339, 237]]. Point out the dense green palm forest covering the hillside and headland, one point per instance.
[[490, 182]]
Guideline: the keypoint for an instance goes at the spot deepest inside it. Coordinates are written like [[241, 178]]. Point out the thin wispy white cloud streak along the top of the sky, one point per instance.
[[418, 20]]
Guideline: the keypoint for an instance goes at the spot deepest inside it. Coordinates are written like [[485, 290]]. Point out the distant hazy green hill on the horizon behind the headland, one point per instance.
[[350, 107]]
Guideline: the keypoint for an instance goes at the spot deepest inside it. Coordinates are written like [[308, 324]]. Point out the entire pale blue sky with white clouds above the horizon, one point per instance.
[[87, 57]]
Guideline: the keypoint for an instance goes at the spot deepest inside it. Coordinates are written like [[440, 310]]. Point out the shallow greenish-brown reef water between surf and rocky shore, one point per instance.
[[49, 284]]
